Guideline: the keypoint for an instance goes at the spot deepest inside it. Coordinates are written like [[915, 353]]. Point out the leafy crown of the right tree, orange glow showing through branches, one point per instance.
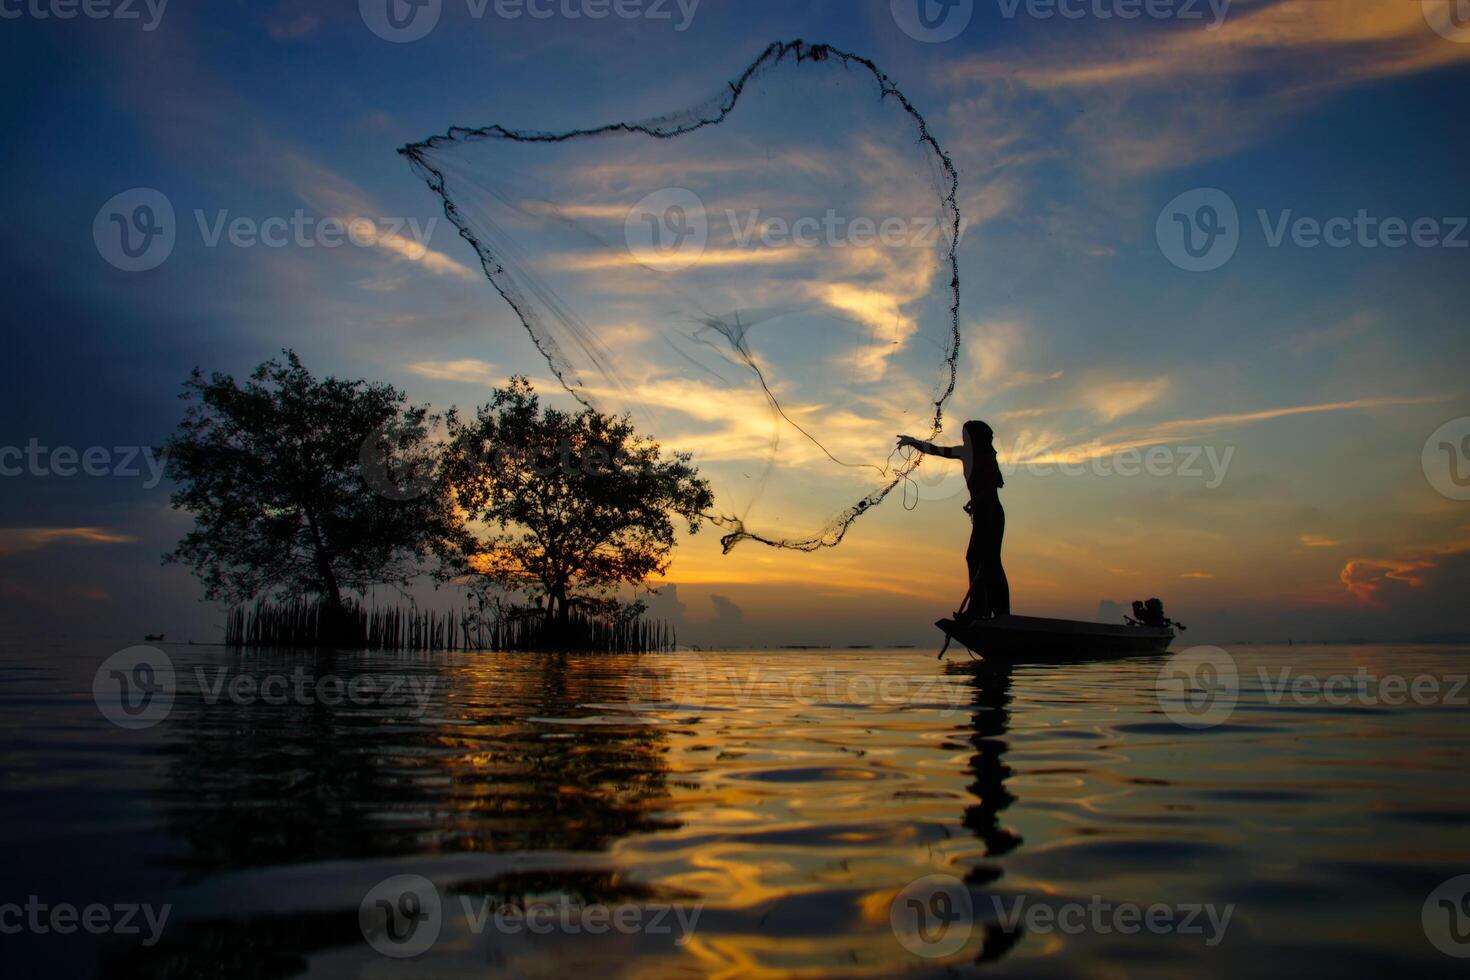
[[577, 505]]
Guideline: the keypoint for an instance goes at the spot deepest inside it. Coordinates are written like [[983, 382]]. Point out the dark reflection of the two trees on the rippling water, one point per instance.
[[258, 785]]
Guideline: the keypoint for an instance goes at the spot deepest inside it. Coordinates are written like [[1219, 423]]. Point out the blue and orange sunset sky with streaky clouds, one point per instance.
[[1291, 389]]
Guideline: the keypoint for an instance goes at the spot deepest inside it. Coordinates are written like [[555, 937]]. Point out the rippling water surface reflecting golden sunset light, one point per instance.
[[778, 801]]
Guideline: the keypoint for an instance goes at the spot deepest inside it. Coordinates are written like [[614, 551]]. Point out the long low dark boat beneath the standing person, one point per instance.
[[1036, 638]]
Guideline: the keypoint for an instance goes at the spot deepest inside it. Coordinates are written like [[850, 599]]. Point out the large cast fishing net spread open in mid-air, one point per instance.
[[767, 280]]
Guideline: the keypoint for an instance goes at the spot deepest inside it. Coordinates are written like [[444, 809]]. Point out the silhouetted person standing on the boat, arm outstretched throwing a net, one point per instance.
[[990, 590]]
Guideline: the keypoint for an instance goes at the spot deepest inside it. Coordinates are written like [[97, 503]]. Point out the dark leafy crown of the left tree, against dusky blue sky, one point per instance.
[[304, 486]]
